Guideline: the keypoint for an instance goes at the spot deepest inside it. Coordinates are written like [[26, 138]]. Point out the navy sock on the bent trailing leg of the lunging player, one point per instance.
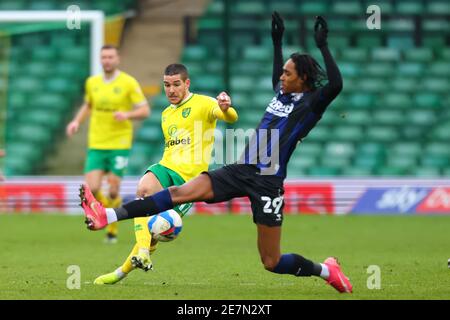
[[297, 265]]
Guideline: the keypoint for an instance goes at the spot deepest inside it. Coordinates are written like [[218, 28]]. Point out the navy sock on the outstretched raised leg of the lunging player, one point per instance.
[[148, 206]]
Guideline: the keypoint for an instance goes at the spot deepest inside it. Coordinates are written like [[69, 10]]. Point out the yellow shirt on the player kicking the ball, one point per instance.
[[189, 135]]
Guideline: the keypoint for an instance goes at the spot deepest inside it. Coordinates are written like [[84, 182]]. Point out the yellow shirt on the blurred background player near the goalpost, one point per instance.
[[122, 93]]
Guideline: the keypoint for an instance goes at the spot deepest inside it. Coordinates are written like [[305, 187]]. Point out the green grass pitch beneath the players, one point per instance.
[[215, 257]]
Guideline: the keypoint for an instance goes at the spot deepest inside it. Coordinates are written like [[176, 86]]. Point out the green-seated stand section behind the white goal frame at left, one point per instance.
[[47, 69]]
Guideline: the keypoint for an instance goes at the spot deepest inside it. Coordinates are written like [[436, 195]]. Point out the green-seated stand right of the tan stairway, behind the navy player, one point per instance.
[[391, 117]]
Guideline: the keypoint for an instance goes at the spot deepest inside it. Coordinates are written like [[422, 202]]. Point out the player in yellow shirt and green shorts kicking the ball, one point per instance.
[[188, 125]]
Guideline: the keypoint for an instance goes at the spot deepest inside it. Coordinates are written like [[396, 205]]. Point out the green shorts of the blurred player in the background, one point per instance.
[[115, 161]]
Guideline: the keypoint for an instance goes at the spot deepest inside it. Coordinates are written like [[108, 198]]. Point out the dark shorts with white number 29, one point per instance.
[[241, 180]]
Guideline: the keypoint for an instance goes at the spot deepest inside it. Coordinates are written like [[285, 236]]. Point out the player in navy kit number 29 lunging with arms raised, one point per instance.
[[298, 105]]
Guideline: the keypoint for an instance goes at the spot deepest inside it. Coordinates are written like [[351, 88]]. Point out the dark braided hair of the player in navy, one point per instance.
[[305, 65]]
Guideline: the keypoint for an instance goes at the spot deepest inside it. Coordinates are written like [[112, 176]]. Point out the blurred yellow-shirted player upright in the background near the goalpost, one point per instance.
[[112, 99]]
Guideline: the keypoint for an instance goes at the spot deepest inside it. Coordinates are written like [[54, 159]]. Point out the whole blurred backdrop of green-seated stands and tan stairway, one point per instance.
[[392, 118]]
